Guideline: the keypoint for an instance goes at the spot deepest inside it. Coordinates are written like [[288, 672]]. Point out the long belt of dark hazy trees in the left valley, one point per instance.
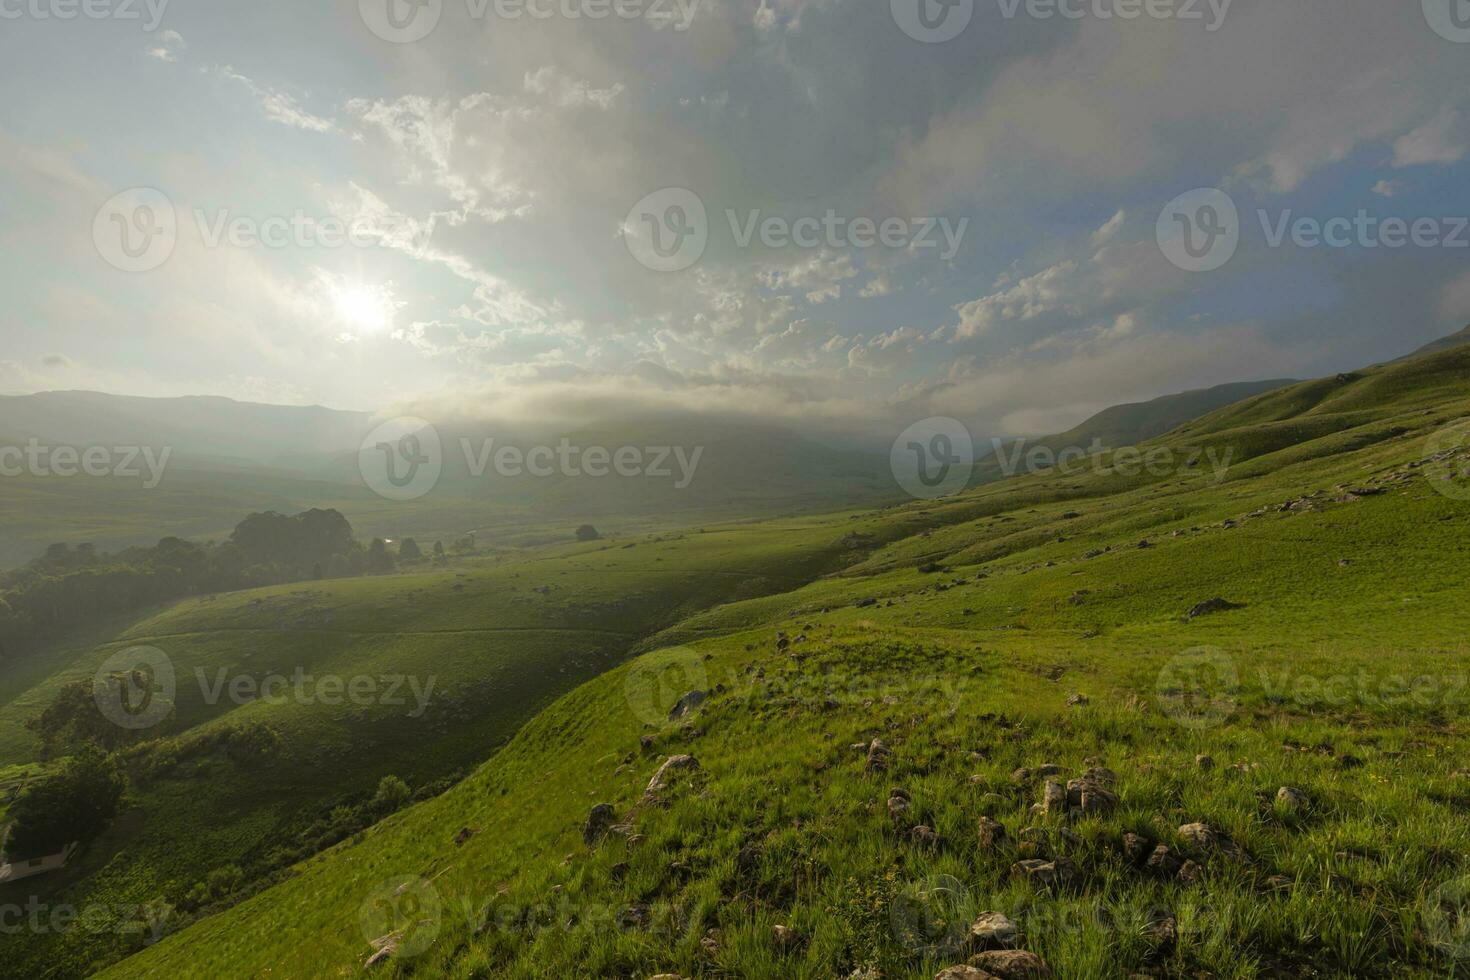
[[71, 587]]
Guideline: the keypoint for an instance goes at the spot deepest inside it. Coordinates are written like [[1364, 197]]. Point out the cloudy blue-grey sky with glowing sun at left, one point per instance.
[[834, 215]]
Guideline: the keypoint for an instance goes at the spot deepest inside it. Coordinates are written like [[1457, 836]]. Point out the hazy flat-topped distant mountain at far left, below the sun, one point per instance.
[[195, 428]]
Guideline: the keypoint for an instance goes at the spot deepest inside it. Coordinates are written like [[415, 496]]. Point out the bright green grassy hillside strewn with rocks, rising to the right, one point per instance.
[[1313, 721]]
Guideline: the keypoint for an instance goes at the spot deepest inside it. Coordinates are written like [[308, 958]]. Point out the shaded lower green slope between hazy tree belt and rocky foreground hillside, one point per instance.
[[496, 640]]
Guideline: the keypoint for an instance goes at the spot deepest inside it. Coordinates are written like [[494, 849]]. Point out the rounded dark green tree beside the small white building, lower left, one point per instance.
[[76, 804]]
